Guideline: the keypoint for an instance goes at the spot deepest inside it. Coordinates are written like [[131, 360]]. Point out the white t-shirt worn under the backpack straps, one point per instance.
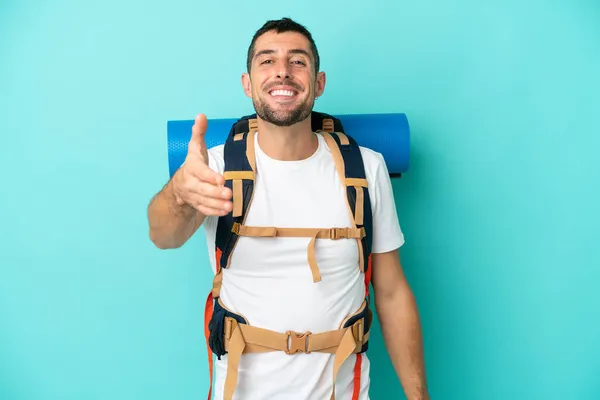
[[269, 280]]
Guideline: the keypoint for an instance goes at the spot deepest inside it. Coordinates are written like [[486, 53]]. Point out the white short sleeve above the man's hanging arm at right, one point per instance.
[[387, 235]]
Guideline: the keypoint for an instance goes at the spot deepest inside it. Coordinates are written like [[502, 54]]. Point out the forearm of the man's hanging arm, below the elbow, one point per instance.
[[401, 330]]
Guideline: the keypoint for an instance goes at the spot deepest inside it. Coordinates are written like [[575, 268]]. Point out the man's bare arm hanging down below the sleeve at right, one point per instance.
[[400, 324]]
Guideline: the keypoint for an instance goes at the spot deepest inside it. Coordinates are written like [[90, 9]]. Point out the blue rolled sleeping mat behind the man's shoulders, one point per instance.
[[388, 134]]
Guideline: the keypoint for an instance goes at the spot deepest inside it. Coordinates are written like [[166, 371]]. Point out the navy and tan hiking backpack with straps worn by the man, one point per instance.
[[229, 333]]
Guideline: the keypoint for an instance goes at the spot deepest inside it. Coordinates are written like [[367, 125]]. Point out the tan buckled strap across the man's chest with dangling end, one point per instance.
[[313, 233]]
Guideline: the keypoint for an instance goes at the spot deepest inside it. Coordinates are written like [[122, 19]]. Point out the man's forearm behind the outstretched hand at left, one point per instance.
[[171, 224]]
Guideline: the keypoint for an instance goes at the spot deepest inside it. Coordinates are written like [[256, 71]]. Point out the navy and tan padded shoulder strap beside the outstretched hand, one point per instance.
[[239, 173]]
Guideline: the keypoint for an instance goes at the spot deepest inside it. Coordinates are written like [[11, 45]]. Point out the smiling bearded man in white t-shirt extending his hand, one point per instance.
[[269, 281]]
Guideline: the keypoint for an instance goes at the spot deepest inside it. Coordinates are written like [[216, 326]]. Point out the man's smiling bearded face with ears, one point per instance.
[[282, 81]]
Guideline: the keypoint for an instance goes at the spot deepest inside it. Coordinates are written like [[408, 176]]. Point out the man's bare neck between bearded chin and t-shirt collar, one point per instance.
[[287, 143]]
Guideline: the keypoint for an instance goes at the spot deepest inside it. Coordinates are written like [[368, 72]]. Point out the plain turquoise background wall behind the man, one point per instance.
[[499, 207]]
